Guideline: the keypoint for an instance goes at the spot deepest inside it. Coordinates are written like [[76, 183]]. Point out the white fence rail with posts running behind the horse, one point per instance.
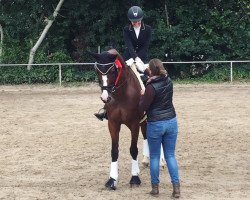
[[60, 65]]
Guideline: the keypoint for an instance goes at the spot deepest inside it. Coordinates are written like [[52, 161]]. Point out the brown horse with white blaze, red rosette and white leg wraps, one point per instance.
[[121, 93]]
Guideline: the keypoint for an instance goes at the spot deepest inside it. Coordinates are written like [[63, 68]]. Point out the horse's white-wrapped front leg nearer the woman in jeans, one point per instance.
[[135, 180]]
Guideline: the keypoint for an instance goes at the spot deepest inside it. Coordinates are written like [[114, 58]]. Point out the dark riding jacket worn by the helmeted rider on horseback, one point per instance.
[[137, 47]]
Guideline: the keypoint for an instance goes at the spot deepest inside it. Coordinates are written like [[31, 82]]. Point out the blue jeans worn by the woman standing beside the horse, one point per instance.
[[163, 132]]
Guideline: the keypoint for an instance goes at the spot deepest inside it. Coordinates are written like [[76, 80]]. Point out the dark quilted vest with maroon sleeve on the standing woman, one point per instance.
[[158, 100]]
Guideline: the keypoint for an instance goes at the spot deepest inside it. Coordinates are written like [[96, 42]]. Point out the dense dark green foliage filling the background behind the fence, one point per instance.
[[195, 31]]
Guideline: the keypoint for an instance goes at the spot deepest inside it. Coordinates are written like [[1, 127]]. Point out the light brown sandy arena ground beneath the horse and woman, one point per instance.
[[52, 147]]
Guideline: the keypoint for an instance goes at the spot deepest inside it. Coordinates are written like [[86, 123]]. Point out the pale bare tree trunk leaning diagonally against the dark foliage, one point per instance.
[[42, 36]]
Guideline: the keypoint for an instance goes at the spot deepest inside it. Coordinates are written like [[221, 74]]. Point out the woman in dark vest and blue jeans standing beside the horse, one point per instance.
[[162, 127]]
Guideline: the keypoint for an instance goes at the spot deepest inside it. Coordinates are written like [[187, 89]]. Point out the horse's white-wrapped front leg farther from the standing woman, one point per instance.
[[113, 177]]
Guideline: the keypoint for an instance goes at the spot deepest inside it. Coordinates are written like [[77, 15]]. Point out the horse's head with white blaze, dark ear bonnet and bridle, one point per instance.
[[107, 70]]
